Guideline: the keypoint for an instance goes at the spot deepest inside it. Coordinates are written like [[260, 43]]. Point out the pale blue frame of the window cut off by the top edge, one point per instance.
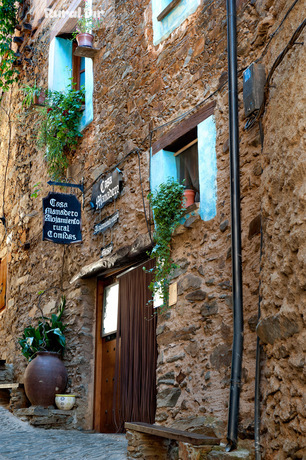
[[162, 29]]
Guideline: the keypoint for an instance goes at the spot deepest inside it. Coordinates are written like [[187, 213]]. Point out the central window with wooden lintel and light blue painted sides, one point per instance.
[[188, 153]]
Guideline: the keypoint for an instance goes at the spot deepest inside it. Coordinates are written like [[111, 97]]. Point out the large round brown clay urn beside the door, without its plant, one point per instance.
[[45, 376]]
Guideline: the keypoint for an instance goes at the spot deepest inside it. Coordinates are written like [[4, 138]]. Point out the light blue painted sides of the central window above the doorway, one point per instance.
[[164, 165]]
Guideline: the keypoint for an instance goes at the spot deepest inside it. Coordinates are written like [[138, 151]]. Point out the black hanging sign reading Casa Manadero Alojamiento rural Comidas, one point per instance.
[[62, 218]]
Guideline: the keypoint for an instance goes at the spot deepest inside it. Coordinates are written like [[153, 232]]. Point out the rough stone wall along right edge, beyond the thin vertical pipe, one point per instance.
[[282, 327]]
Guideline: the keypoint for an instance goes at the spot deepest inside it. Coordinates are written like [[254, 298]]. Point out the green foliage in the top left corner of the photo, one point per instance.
[[8, 11]]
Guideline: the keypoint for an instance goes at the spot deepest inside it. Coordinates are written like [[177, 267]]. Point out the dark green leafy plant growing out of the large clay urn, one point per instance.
[[47, 336]]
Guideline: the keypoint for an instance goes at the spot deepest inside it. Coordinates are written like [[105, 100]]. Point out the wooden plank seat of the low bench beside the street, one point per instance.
[[171, 433]]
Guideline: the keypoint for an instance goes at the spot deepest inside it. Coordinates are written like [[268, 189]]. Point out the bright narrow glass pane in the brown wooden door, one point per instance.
[[110, 309]]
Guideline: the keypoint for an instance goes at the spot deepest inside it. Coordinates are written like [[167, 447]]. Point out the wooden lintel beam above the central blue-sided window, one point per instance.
[[183, 127]]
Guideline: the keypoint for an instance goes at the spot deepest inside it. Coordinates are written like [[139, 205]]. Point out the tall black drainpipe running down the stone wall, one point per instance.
[[237, 349]]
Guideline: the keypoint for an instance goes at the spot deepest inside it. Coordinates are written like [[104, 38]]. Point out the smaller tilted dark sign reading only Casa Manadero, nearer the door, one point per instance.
[[106, 190]]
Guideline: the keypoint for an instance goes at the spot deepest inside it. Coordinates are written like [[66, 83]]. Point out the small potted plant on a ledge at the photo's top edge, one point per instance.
[[87, 23]]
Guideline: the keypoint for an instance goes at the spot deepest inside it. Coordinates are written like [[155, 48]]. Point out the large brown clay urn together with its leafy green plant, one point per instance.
[[43, 346]]
